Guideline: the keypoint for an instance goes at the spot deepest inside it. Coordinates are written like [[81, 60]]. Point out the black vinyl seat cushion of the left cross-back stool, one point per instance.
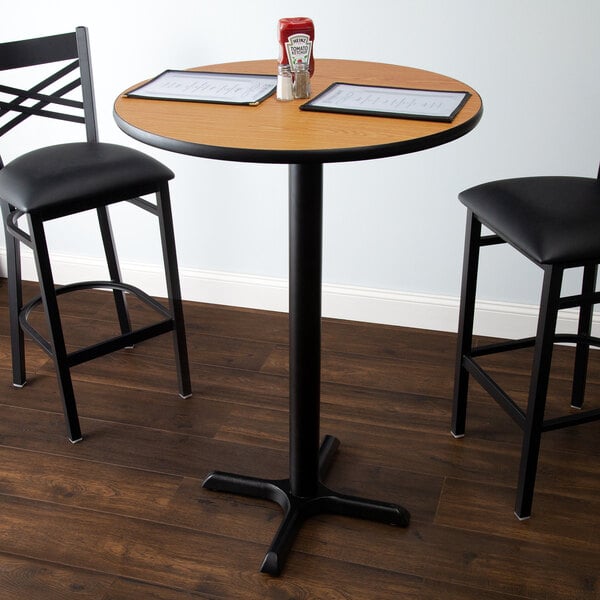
[[75, 176]]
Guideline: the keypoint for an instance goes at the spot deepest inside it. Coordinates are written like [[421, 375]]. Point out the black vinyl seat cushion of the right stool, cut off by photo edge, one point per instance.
[[550, 219]]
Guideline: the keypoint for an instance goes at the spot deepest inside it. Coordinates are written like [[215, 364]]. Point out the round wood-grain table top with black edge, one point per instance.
[[279, 132]]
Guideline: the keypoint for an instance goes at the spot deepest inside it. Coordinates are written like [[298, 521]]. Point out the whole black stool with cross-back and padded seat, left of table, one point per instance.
[[64, 179]]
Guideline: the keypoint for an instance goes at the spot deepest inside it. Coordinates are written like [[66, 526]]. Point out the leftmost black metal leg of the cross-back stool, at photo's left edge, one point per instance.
[[15, 302]]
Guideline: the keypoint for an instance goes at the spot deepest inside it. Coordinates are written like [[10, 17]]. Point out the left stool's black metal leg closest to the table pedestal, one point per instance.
[[167, 236]]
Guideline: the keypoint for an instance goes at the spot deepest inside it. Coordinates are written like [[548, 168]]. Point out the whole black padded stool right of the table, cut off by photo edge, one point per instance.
[[555, 223]]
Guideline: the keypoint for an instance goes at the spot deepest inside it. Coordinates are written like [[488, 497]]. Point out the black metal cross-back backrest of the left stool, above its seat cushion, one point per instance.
[[51, 91]]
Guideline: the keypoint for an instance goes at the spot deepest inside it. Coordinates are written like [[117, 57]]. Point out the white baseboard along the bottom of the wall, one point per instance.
[[390, 307]]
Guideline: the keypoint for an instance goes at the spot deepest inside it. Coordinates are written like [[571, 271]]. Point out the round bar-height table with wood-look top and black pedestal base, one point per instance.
[[278, 132]]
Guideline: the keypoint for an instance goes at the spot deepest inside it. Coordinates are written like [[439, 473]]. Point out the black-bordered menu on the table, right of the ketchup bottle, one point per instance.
[[383, 101]]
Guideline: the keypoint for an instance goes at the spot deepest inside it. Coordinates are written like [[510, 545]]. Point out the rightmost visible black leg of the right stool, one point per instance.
[[584, 331]]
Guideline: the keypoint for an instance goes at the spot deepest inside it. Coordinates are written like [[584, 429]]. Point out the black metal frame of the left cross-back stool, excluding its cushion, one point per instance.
[[74, 47]]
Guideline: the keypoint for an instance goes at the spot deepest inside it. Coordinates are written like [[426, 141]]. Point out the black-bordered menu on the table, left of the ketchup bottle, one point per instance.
[[207, 86]]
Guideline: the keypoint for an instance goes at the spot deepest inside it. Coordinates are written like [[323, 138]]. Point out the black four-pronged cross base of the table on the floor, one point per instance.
[[298, 508]]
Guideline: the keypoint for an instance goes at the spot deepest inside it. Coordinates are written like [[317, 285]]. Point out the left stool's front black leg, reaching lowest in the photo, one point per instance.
[[57, 341]]
